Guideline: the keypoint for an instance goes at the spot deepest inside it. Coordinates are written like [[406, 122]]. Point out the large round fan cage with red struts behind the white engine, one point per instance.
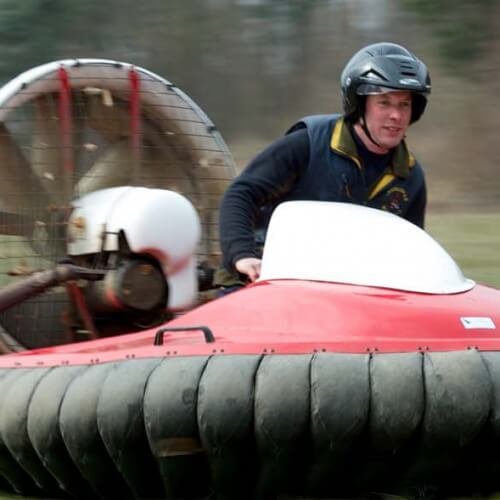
[[71, 127]]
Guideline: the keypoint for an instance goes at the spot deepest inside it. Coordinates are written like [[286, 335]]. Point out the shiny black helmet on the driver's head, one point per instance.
[[384, 66]]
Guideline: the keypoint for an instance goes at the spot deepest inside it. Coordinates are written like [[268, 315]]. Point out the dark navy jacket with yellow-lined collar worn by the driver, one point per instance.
[[319, 159]]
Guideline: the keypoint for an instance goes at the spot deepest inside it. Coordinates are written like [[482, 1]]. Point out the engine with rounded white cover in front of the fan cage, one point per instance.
[[144, 240]]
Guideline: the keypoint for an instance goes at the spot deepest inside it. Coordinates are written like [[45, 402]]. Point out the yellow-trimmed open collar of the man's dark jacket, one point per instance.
[[343, 143]]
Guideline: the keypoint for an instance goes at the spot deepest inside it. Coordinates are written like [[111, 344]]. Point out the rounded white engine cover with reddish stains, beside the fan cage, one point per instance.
[[157, 222]]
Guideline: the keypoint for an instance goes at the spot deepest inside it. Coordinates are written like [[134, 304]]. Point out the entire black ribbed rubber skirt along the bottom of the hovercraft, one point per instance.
[[254, 426]]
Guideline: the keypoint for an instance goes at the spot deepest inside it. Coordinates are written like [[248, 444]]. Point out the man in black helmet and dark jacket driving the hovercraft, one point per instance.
[[358, 157]]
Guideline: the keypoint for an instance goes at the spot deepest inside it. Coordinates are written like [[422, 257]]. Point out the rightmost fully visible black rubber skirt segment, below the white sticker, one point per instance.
[[458, 398]]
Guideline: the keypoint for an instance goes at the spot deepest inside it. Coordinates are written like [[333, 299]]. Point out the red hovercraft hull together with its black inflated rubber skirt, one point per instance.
[[307, 389]]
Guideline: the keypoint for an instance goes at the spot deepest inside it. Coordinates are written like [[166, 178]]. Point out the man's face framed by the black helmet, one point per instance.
[[388, 117]]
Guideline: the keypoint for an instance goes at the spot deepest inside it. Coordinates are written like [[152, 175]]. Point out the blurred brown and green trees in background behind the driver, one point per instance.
[[255, 66]]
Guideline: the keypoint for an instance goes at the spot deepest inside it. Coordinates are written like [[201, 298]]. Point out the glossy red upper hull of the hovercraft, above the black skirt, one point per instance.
[[299, 317]]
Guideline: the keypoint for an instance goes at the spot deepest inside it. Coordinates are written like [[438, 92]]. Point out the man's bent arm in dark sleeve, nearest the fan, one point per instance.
[[268, 177]]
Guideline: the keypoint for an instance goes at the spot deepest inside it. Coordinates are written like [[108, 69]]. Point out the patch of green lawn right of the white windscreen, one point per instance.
[[473, 240]]
